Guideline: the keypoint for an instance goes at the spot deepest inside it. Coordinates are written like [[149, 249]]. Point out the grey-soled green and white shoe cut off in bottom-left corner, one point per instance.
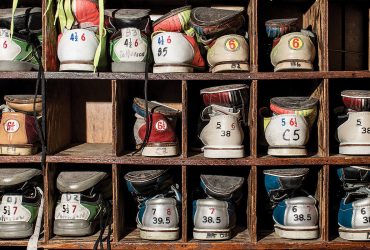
[[20, 201]]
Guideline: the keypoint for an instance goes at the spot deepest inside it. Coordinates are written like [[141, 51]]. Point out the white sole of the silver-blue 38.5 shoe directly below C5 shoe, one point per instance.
[[298, 233]]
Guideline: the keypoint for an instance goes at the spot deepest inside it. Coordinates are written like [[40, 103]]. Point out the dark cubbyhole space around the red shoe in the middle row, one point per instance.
[[168, 93]]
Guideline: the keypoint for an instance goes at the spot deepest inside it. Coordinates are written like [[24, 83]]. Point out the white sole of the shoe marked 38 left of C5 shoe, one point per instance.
[[224, 151]]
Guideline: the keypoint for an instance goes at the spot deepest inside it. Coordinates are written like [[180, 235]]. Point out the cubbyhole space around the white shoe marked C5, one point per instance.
[[290, 88]]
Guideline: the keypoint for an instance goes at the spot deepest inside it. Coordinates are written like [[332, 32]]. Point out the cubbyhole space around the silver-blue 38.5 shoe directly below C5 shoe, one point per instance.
[[312, 184]]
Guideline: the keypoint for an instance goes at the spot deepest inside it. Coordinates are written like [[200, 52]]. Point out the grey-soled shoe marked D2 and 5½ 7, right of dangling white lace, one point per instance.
[[82, 202]]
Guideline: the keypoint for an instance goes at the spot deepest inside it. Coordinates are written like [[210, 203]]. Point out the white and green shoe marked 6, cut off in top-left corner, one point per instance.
[[18, 51]]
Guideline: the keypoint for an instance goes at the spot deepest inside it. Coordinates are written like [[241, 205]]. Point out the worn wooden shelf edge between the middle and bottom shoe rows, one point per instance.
[[190, 161]]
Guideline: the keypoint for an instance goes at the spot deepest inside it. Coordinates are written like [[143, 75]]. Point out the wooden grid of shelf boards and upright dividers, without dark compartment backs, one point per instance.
[[112, 154]]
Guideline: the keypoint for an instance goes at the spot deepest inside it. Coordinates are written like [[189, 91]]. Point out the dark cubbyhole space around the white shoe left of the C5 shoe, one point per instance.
[[196, 106]]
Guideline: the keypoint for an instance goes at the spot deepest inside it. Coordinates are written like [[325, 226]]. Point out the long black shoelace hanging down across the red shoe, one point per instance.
[[148, 118]]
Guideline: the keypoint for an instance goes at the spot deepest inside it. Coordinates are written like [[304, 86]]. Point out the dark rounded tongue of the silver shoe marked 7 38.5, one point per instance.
[[221, 187]]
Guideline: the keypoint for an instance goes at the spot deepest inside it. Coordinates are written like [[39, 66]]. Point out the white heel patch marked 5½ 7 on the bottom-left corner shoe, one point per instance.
[[11, 209]]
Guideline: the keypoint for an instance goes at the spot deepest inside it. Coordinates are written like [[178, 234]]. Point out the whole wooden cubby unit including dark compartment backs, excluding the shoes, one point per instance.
[[90, 118]]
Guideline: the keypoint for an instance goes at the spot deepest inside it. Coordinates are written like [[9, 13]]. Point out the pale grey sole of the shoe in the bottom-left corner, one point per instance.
[[15, 230]]
